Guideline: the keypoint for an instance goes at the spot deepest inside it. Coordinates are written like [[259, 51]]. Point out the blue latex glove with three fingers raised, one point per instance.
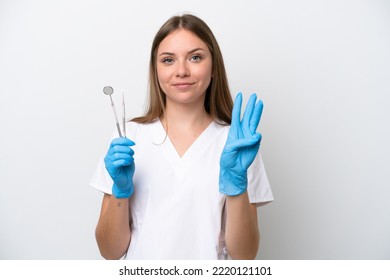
[[241, 147]]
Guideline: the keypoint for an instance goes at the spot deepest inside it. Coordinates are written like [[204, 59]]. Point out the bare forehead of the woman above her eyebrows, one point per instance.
[[181, 40]]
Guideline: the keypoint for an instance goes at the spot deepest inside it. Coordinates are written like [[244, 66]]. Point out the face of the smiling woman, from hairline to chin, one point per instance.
[[184, 67]]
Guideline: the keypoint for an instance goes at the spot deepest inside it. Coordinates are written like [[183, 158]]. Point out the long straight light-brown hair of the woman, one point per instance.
[[218, 101]]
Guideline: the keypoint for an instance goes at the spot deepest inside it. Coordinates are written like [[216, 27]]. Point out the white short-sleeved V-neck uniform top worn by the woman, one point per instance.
[[176, 208]]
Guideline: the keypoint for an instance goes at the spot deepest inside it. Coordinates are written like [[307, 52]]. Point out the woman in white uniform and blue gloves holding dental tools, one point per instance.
[[186, 184]]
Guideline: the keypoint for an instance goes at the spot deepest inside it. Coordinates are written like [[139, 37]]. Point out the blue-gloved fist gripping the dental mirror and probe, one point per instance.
[[120, 165]]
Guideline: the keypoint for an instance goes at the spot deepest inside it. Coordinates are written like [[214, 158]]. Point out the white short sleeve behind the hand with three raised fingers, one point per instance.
[[259, 189]]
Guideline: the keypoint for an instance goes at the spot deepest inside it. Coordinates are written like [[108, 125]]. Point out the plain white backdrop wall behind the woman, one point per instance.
[[320, 67]]
